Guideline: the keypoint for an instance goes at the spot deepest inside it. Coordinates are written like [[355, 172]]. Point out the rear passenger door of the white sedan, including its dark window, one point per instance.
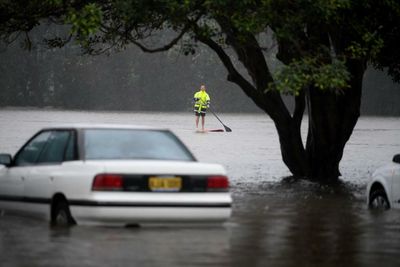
[[38, 185]]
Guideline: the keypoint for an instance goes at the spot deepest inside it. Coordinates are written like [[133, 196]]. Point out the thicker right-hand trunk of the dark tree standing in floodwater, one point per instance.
[[332, 118]]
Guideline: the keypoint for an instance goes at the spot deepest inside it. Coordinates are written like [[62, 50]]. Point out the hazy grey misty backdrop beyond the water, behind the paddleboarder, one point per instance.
[[135, 81]]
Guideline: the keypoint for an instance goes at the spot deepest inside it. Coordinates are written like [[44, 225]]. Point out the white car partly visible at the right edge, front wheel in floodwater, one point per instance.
[[383, 190]]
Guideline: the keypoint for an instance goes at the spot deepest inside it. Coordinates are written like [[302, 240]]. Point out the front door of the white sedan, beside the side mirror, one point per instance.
[[12, 178]]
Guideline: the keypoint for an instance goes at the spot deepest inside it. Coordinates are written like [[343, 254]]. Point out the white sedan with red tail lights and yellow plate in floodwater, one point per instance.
[[112, 174]]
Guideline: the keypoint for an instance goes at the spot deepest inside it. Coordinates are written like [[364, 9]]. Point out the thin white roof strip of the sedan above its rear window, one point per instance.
[[102, 126]]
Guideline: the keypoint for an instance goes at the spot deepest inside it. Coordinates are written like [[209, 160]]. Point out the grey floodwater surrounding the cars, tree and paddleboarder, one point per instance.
[[276, 221]]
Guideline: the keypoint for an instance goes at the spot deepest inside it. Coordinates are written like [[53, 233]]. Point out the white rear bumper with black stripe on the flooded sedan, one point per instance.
[[104, 208]]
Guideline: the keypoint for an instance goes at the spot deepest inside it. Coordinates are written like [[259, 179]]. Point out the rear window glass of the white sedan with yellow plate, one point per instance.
[[133, 144]]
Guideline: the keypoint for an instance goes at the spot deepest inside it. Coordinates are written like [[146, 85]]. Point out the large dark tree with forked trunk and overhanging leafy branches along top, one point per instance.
[[323, 47]]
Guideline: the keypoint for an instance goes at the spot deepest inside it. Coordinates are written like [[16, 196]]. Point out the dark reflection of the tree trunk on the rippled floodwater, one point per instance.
[[325, 229]]
